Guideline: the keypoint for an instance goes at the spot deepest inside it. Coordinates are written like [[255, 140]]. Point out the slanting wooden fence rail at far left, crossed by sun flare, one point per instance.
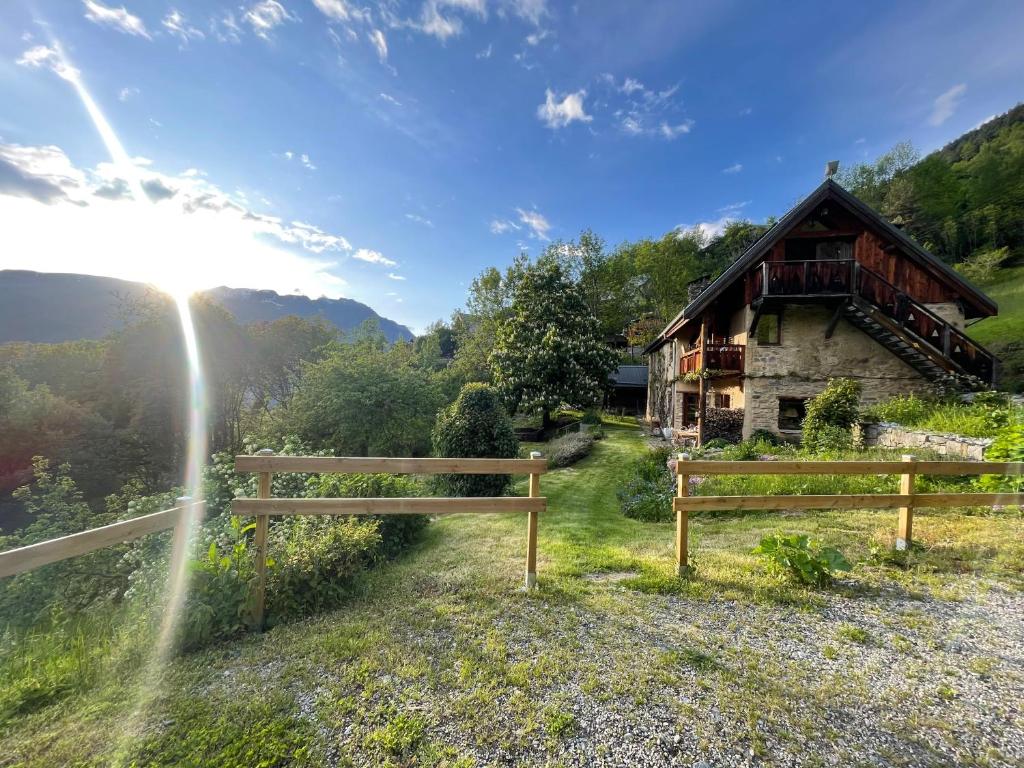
[[35, 556]]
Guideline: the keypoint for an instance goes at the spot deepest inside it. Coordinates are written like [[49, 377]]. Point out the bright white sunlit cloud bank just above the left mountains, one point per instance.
[[59, 218]]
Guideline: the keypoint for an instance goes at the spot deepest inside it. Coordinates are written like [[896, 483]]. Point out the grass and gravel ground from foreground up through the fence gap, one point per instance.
[[442, 659]]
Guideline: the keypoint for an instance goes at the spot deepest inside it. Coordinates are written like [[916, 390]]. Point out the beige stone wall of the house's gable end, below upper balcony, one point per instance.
[[802, 363]]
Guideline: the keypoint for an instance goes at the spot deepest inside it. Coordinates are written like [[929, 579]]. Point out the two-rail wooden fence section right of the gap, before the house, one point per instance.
[[906, 501]]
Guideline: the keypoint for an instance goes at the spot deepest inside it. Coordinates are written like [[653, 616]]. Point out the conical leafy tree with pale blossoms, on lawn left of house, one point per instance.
[[550, 351]]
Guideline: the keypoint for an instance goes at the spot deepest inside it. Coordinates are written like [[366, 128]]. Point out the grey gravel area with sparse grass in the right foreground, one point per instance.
[[880, 680]]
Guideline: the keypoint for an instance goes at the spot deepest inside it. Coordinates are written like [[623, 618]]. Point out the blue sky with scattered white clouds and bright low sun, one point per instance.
[[390, 151]]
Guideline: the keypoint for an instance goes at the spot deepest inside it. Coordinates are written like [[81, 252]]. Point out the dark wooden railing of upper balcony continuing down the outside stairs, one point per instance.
[[839, 278]]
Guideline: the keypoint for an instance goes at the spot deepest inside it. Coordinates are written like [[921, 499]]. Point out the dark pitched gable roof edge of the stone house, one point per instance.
[[829, 190]]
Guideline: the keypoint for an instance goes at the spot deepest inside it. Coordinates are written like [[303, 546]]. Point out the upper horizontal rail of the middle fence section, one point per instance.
[[370, 465]]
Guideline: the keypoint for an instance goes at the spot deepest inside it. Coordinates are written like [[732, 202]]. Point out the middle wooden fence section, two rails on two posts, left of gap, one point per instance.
[[266, 464]]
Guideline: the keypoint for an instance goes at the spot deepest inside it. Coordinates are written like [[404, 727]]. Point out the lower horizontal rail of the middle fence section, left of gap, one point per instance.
[[415, 506]]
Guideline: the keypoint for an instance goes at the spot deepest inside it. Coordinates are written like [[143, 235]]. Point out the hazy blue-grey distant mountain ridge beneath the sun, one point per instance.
[[53, 308]]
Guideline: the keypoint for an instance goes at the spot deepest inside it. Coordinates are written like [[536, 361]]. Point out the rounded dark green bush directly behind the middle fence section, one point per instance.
[[476, 426]]
